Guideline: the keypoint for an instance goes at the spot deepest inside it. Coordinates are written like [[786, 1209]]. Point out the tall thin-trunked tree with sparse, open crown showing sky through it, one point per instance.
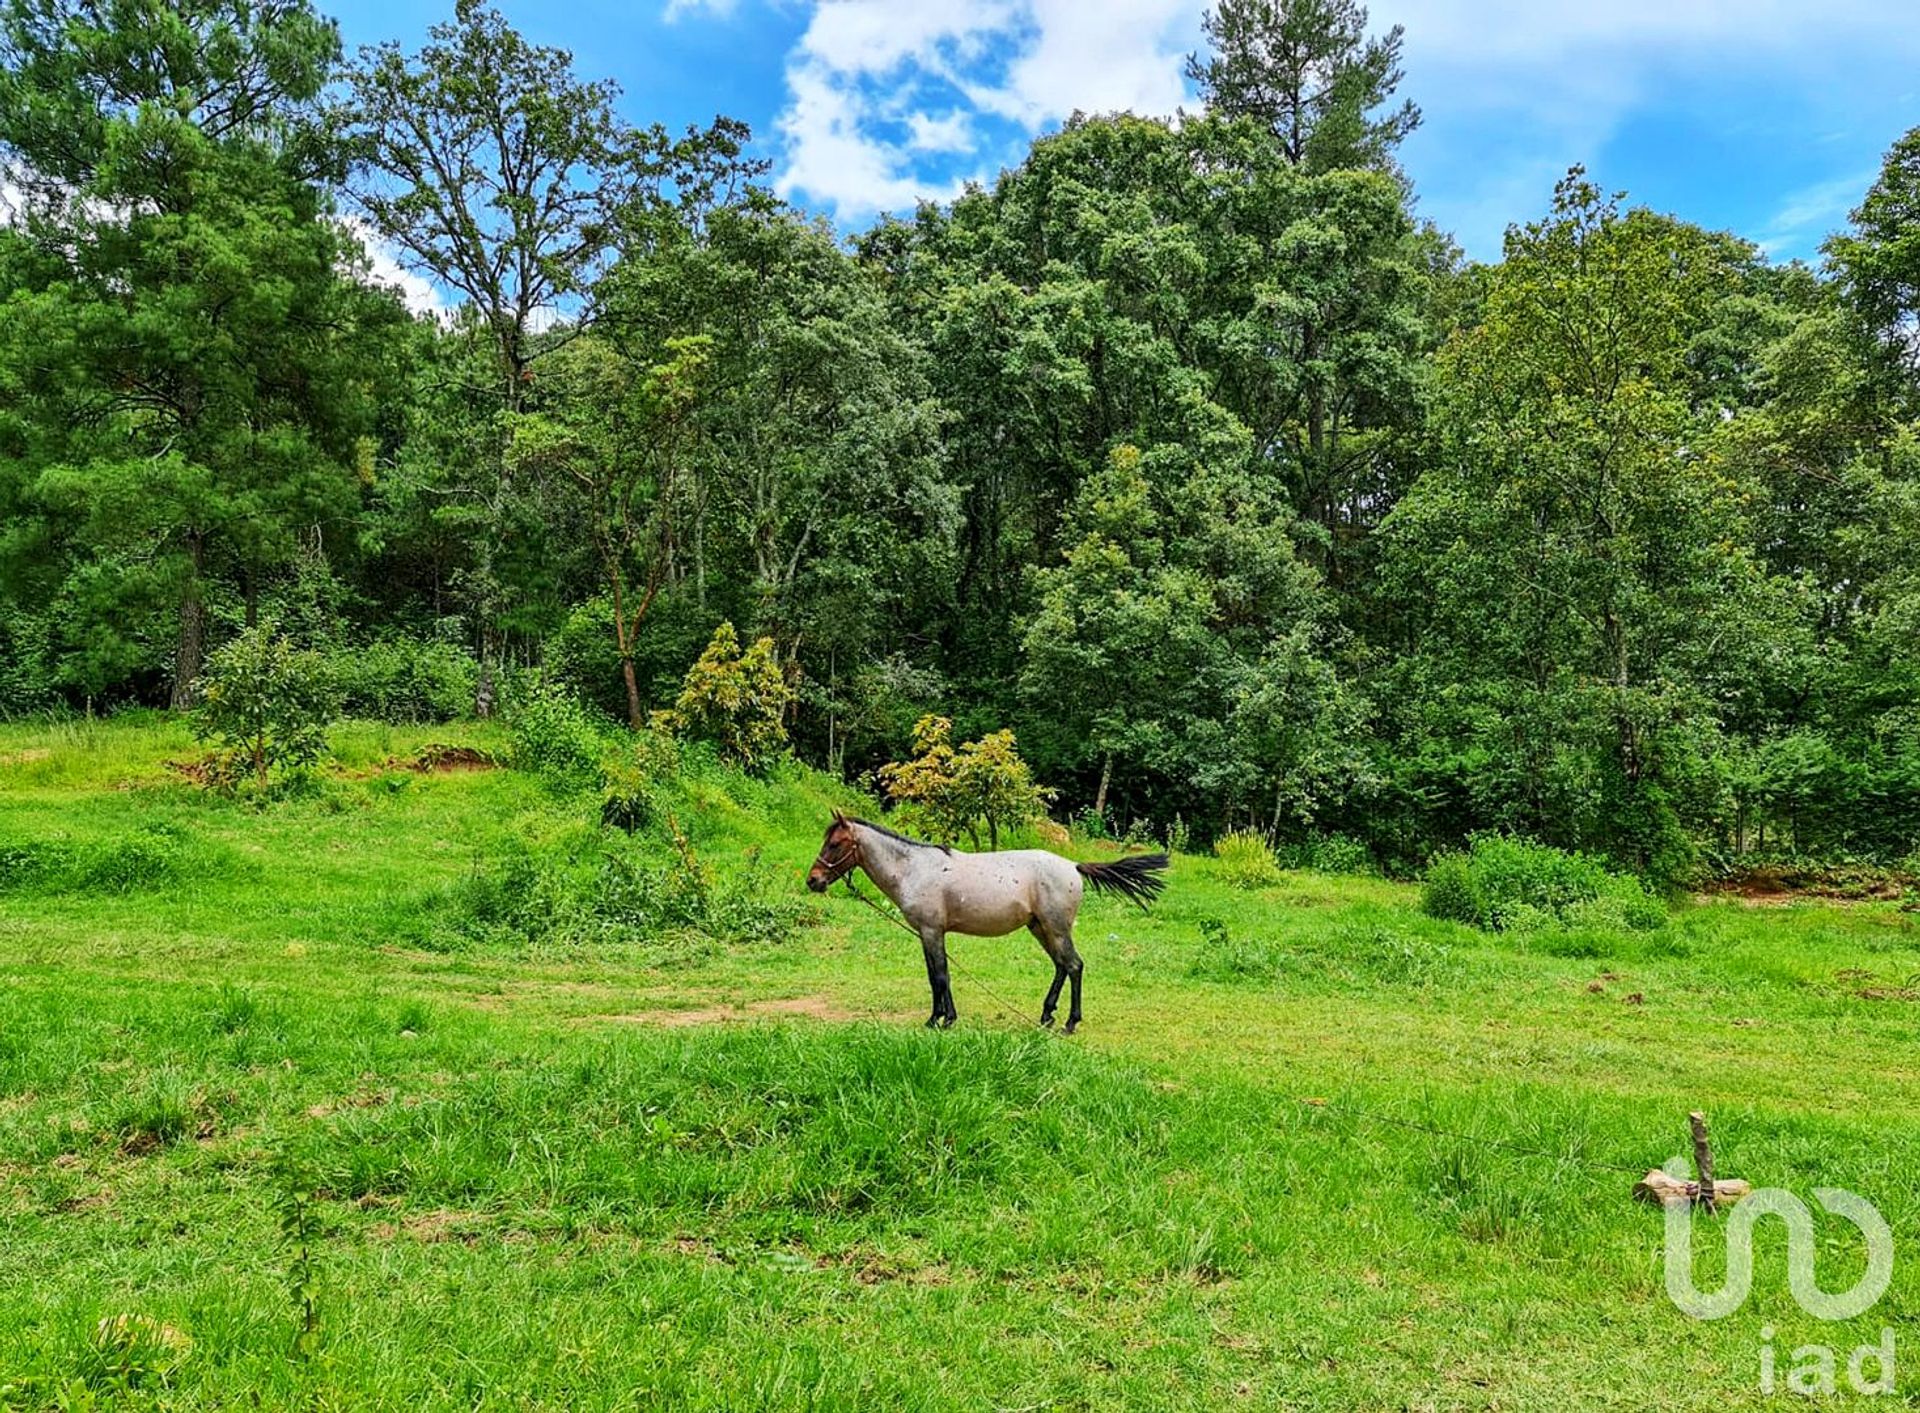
[[491, 168]]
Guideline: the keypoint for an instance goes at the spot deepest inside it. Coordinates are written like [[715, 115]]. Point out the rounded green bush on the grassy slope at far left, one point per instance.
[[268, 704]]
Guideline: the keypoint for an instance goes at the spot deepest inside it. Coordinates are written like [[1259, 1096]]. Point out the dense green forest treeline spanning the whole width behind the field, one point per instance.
[[1186, 448]]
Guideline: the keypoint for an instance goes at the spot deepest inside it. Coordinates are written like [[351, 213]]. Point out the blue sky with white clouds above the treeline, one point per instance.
[[1765, 118]]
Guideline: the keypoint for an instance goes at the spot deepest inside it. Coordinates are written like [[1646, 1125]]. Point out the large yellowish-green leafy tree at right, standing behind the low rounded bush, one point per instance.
[[1581, 546]]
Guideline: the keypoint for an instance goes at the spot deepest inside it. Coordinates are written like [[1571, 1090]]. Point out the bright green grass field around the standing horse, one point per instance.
[[325, 1149]]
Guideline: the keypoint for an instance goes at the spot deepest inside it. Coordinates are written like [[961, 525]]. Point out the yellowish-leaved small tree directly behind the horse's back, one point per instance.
[[957, 792]]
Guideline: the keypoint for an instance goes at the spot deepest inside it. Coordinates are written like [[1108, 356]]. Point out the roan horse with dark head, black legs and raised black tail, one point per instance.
[[944, 890]]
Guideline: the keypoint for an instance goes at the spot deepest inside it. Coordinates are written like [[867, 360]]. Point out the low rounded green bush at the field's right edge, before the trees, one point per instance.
[[1510, 884]]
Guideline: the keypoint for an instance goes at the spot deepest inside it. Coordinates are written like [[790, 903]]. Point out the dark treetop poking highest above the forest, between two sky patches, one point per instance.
[[1308, 72]]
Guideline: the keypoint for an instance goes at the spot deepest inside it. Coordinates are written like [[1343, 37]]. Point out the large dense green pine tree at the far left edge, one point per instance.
[[195, 362]]
